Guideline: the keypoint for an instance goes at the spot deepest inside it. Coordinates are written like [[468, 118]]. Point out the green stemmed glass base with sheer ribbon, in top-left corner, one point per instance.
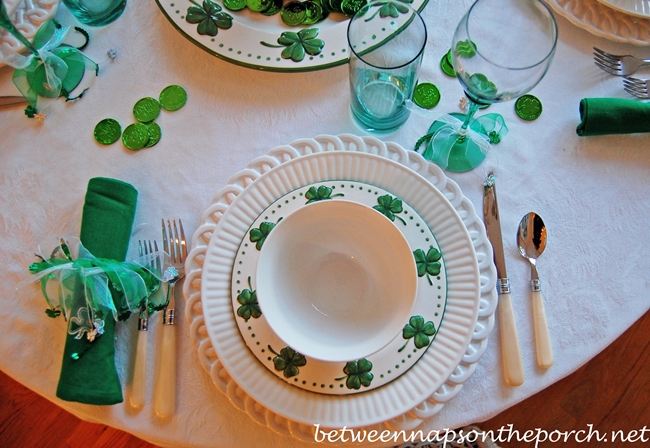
[[50, 70]]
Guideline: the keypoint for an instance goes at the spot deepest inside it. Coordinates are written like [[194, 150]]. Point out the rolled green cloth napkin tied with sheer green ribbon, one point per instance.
[[107, 220]]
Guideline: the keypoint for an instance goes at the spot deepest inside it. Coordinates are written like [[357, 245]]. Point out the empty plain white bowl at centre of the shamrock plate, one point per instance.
[[336, 280]]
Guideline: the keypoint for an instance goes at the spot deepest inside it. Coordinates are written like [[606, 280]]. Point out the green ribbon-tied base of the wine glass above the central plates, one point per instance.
[[451, 150]]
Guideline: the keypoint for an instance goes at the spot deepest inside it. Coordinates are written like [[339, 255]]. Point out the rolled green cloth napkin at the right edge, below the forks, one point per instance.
[[601, 116]]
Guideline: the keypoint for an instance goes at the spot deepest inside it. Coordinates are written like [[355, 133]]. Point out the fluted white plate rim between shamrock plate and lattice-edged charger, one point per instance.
[[402, 394]]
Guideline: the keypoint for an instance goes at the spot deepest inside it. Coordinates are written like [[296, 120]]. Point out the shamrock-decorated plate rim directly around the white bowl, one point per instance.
[[378, 369]]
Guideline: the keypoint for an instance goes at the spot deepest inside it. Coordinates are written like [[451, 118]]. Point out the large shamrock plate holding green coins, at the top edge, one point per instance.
[[252, 39]]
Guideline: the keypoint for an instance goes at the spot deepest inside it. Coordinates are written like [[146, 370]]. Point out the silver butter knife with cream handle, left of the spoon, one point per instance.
[[512, 365]]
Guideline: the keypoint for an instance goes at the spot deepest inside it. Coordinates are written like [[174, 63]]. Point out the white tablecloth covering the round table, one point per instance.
[[591, 192]]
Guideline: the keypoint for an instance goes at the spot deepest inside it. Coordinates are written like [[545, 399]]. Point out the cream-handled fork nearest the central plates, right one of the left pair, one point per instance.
[[175, 245]]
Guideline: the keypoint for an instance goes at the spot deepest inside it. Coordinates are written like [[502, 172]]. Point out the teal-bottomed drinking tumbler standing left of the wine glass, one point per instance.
[[386, 41]]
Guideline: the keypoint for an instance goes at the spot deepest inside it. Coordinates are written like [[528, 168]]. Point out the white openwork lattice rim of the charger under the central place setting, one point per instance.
[[430, 404]]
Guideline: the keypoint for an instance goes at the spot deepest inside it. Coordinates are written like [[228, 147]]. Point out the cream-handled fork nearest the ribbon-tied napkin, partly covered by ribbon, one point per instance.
[[147, 252]]
